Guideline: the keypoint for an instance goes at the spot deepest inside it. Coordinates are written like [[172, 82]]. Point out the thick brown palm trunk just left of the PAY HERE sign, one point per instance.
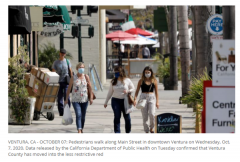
[[201, 37]]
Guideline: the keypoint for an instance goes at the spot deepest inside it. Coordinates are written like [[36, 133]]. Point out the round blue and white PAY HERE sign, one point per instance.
[[215, 24]]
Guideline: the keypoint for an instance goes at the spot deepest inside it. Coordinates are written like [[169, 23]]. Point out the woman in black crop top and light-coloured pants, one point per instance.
[[148, 84]]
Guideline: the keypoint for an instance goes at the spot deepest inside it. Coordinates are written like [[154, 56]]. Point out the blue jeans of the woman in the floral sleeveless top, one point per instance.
[[80, 111]]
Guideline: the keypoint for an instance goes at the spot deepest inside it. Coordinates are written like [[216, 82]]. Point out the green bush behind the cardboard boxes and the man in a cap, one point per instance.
[[48, 54]]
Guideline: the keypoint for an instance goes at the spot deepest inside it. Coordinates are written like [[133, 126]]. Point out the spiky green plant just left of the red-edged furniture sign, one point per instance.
[[195, 97]]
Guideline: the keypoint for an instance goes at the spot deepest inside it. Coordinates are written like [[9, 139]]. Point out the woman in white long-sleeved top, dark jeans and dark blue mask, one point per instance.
[[119, 87]]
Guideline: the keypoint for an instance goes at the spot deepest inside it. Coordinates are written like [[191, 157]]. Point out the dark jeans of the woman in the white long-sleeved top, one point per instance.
[[118, 107]]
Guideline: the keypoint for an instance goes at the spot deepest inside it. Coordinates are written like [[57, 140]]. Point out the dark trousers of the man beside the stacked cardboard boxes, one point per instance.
[[62, 96]]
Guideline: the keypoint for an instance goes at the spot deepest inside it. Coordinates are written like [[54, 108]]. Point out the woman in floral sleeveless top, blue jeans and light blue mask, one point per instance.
[[80, 85]]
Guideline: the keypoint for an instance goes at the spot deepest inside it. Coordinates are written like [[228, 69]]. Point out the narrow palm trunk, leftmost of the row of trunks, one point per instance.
[[173, 49]]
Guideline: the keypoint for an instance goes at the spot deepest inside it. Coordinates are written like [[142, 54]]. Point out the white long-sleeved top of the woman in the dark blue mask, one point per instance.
[[116, 91]]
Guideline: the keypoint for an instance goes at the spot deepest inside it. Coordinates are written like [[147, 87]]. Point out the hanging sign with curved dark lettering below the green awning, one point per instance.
[[51, 30]]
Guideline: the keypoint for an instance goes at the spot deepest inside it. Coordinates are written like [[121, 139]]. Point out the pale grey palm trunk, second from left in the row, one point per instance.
[[184, 47]]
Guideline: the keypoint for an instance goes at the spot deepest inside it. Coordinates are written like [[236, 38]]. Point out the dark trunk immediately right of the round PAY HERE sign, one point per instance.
[[228, 22]]
